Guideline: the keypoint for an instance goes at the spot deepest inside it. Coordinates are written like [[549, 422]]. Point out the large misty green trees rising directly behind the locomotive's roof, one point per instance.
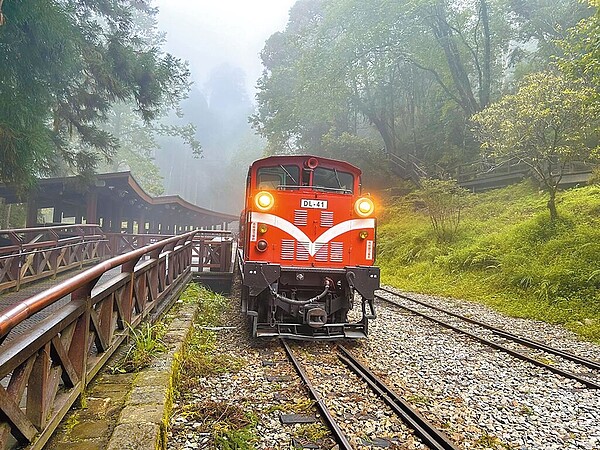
[[403, 76]]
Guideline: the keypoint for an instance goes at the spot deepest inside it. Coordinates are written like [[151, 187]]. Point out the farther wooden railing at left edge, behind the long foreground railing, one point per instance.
[[30, 254]]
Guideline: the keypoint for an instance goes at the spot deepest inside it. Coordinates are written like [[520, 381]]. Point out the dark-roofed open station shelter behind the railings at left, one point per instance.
[[116, 202]]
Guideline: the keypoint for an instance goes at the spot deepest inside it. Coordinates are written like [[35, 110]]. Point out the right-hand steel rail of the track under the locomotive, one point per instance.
[[430, 435]]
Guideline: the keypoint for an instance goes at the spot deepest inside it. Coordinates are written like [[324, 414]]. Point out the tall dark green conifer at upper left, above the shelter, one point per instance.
[[63, 65]]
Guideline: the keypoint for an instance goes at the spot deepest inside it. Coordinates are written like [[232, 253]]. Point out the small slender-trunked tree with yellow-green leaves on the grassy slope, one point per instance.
[[548, 123]]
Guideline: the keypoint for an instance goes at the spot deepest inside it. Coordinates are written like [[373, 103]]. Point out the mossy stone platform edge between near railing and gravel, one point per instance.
[[143, 422]]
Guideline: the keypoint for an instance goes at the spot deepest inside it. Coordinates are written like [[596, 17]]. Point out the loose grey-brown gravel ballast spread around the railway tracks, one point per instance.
[[482, 398]]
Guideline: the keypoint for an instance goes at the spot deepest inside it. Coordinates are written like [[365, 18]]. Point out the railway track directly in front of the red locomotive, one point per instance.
[[428, 434]]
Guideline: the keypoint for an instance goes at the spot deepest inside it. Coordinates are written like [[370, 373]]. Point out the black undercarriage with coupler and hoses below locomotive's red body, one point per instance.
[[309, 303]]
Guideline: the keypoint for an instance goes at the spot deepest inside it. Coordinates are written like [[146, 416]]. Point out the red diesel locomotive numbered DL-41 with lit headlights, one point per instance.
[[307, 240]]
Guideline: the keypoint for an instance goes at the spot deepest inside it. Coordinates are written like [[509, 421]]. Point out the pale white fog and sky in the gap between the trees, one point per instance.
[[222, 41]]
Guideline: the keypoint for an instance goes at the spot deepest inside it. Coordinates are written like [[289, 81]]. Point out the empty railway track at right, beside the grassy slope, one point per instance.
[[568, 365]]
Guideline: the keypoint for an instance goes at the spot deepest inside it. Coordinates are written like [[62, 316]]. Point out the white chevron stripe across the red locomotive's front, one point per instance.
[[298, 234]]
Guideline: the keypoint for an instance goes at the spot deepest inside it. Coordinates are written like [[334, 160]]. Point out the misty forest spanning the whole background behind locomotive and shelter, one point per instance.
[[398, 88]]
